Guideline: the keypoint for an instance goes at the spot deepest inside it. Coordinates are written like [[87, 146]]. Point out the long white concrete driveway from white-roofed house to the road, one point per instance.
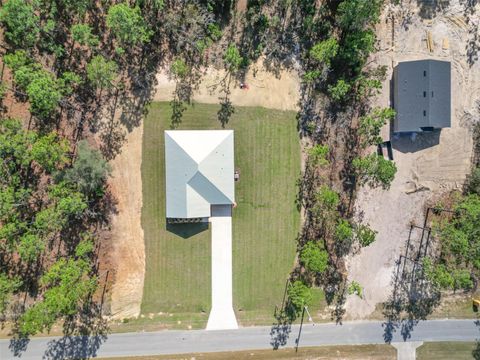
[[221, 316]]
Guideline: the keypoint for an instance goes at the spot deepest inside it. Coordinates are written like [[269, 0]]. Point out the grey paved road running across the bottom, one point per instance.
[[174, 342]]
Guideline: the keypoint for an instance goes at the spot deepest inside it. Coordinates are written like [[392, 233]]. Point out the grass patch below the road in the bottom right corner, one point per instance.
[[448, 350]]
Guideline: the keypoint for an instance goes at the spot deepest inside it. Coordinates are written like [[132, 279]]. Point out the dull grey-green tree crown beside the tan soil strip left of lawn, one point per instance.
[[89, 171]]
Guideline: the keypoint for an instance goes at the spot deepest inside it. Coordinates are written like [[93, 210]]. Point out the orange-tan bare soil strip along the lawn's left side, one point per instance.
[[127, 233]]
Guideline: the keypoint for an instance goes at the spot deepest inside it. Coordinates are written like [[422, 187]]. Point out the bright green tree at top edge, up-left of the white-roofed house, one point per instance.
[[128, 25]]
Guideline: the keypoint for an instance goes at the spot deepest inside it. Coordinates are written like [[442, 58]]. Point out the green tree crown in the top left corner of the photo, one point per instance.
[[21, 23]]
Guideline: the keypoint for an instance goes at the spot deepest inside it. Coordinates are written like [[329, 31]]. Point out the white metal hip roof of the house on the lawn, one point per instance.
[[199, 171]]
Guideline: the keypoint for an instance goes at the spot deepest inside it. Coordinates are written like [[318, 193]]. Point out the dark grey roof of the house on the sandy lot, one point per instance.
[[422, 95]]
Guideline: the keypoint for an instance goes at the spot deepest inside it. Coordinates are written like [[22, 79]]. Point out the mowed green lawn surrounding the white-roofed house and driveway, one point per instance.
[[265, 222]]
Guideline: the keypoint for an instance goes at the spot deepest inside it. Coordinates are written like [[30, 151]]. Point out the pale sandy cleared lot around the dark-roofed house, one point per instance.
[[427, 164]]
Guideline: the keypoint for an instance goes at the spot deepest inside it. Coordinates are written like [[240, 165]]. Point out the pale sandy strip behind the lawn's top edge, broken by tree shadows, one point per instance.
[[265, 89]]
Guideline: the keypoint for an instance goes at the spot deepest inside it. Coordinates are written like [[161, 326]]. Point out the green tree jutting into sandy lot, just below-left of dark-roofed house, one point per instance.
[[374, 170]]
